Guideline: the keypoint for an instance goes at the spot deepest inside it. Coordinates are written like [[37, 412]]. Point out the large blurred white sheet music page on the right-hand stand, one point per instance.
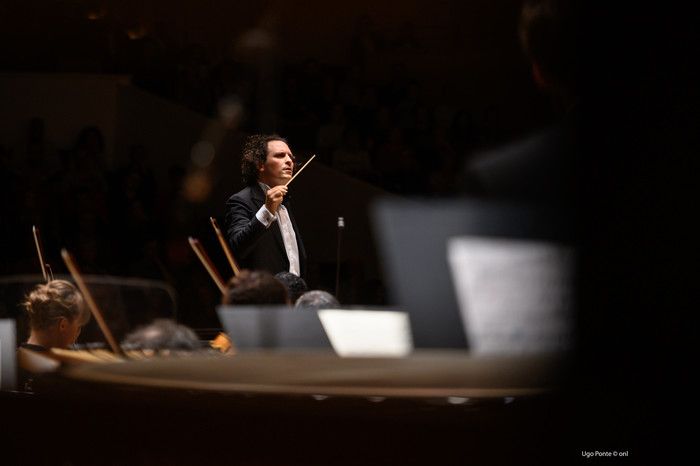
[[515, 296]]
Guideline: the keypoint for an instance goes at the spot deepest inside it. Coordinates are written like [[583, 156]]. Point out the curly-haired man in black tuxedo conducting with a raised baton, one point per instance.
[[260, 225]]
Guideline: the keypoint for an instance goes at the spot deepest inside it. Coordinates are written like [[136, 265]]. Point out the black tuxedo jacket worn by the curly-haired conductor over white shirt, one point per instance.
[[254, 246]]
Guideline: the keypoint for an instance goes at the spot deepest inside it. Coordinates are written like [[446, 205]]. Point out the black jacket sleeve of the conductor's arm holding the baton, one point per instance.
[[243, 227]]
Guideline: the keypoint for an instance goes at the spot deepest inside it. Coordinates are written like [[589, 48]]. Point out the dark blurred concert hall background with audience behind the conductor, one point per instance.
[[123, 121]]
